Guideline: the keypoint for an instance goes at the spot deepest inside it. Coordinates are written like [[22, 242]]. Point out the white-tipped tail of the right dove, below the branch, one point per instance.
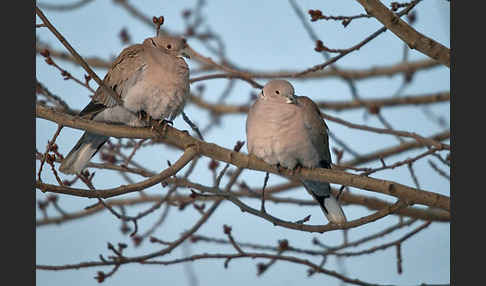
[[321, 191]]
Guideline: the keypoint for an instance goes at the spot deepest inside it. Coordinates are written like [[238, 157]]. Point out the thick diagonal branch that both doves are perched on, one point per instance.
[[182, 140]]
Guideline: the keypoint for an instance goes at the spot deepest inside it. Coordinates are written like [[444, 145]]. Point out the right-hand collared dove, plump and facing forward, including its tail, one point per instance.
[[287, 130]]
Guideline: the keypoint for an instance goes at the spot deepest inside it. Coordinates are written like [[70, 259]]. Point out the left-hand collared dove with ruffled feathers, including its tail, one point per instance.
[[150, 78]]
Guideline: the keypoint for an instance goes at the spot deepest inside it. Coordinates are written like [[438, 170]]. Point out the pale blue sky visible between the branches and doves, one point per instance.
[[259, 35]]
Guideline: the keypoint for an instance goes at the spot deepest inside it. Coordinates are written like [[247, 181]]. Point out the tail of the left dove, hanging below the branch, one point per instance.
[[82, 152]]
